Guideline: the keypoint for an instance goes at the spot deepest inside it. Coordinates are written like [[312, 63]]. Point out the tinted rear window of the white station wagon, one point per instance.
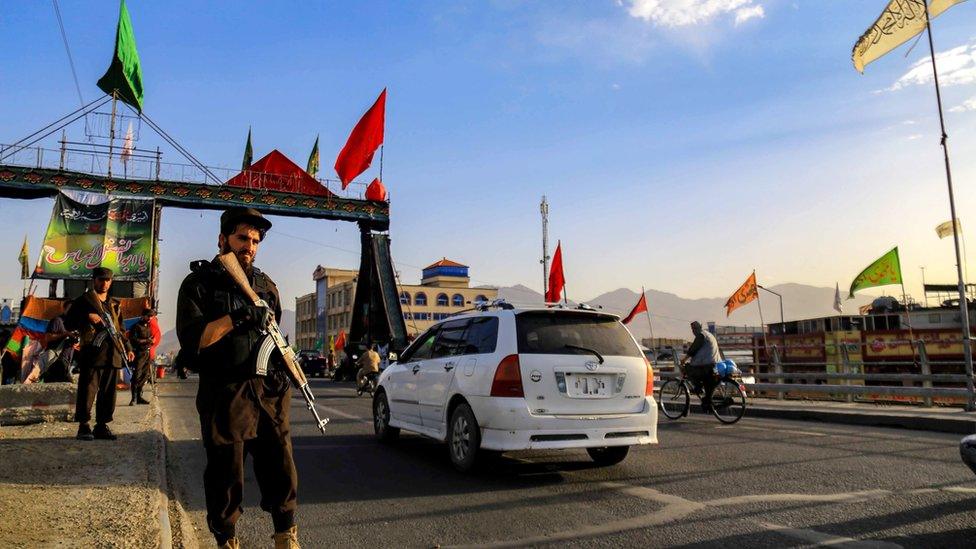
[[549, 332]]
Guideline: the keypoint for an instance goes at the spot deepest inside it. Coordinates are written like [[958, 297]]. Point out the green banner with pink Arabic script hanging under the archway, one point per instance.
[[80, 237]]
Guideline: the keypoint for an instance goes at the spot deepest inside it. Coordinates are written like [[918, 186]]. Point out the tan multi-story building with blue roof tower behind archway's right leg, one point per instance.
[[444, 290]]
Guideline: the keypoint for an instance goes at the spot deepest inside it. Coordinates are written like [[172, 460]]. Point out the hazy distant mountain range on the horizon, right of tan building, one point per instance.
[[671, 314]]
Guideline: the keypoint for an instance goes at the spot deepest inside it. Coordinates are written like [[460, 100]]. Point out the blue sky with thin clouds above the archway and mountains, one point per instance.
[[680, 144]]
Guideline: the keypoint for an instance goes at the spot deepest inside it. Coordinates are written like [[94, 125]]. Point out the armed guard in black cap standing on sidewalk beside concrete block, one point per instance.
[[95, 316]]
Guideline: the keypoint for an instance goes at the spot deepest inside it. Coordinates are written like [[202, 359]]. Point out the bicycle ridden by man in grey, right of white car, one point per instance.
[[728, 403]]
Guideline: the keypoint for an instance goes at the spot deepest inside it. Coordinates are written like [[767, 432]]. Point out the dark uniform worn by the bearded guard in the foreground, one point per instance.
[[240, 412]]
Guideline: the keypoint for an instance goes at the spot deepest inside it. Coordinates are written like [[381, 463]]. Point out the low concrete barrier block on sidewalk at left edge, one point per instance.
[[36, 403]]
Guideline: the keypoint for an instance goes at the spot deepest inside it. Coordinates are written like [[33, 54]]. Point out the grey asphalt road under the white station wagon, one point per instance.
[[760, 483]]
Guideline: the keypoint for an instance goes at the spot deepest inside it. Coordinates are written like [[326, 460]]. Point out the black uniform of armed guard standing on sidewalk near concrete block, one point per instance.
[[99, 359]]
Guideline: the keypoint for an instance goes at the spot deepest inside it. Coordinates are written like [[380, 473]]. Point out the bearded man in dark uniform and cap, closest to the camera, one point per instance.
[[241, 411]]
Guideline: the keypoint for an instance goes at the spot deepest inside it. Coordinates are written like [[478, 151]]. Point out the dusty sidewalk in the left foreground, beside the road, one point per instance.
[[58, 491]]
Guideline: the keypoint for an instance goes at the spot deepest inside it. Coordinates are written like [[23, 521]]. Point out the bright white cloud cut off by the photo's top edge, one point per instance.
[[681, 13]]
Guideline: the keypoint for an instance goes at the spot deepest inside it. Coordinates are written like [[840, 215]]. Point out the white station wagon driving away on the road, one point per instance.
[[501, 379]]
